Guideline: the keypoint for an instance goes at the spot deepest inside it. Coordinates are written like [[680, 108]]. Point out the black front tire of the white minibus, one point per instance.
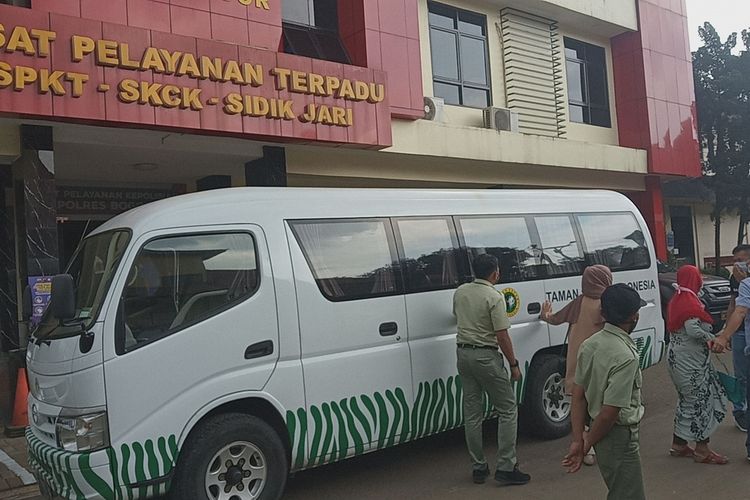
[[217, 433]]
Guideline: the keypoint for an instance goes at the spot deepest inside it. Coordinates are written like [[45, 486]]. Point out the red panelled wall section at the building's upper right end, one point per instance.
[[654, 88]]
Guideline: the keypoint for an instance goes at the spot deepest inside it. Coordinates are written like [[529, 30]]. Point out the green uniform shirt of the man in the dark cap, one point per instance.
[[609, 371]]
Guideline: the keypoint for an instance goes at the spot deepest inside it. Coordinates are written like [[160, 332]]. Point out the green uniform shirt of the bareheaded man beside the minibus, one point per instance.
[[480, 311]]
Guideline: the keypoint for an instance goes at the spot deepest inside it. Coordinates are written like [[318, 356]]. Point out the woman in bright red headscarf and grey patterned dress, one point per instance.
[[702, 401]]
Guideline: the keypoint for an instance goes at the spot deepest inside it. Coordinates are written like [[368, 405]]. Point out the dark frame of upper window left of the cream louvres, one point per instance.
[[457, 33]]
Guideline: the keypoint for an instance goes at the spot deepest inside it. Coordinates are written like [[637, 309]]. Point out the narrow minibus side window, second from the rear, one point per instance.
[[561, 250]]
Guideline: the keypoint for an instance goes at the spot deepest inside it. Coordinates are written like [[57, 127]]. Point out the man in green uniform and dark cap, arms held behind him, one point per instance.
[[608, 392]]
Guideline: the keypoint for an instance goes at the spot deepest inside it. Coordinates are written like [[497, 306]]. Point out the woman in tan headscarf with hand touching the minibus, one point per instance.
[[584, 318]]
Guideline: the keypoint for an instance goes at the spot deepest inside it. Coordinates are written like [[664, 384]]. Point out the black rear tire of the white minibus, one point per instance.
[[535, 420]]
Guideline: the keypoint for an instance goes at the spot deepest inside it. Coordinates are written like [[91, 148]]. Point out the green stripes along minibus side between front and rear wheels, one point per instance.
[[349, 427]]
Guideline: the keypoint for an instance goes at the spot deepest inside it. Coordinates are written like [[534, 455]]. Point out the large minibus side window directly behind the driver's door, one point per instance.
[[350, 259]]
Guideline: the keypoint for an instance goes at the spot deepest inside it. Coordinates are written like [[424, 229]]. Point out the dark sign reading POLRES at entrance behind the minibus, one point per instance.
[[105, 202]]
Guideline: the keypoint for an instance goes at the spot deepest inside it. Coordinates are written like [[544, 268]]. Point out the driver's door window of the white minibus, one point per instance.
[[178, 281]]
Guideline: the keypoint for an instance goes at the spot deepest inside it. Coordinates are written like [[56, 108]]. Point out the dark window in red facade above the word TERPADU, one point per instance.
[[311, 30]]
